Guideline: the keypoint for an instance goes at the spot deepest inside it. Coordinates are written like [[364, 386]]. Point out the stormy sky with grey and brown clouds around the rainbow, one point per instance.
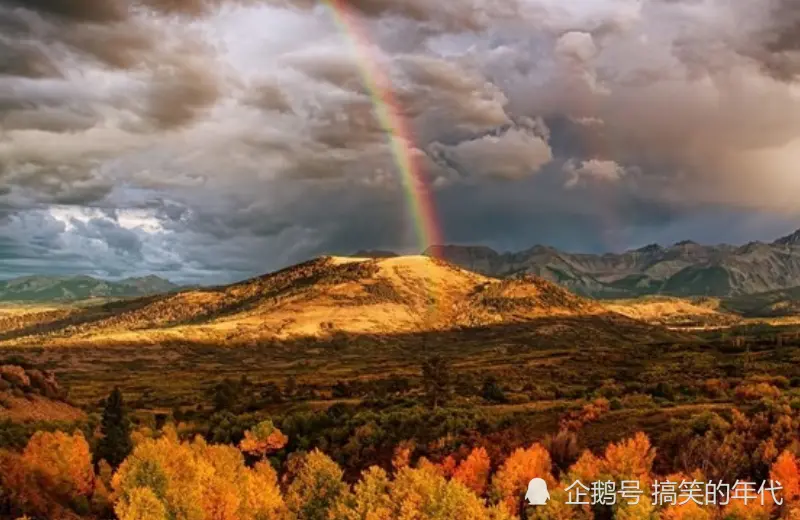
[[208, 141]]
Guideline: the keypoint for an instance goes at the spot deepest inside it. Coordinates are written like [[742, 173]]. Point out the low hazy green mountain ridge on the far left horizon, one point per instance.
[[74, 288]]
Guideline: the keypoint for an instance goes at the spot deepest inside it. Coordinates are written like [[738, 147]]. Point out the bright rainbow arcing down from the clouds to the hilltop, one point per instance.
[[389, 116]]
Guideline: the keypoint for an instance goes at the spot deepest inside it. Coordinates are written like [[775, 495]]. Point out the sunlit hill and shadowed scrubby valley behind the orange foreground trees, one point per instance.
[[369, 358]]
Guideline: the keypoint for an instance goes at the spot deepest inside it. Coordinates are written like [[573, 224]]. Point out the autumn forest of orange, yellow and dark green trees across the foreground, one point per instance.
[[411, 448]]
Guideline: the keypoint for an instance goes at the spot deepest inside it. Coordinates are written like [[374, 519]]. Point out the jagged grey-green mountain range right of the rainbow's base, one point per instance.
[[683, 269]]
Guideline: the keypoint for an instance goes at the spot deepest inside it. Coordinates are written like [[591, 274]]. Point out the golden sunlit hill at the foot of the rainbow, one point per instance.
[[321, 298]]
